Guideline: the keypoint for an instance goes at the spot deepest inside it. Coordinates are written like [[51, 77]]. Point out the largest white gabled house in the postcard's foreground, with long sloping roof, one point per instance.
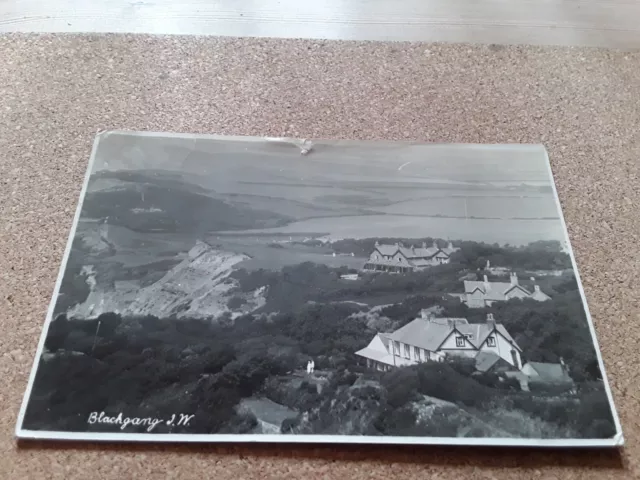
[[428, 338]]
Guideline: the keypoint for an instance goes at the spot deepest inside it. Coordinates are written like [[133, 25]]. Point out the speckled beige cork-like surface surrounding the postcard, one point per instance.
[[56, 92]]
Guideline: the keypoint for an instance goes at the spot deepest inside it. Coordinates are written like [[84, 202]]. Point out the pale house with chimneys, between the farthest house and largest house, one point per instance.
[[480, 294]]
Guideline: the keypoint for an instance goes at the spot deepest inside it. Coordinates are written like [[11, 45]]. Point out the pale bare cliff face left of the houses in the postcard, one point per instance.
[[199, 286]]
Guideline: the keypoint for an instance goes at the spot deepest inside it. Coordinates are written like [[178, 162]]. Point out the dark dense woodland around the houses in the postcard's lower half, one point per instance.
[[151, 366]]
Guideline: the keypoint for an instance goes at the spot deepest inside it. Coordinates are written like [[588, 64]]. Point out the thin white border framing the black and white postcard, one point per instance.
[[616, 441]]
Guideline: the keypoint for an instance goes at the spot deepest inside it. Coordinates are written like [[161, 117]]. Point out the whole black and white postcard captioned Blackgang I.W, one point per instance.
[[276, 290]]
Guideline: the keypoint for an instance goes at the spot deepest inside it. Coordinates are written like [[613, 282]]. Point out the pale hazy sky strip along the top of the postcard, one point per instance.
[[327, 162]]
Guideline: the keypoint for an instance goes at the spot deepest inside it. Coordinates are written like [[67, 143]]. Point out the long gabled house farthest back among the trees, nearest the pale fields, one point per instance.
[[398, 258]]
